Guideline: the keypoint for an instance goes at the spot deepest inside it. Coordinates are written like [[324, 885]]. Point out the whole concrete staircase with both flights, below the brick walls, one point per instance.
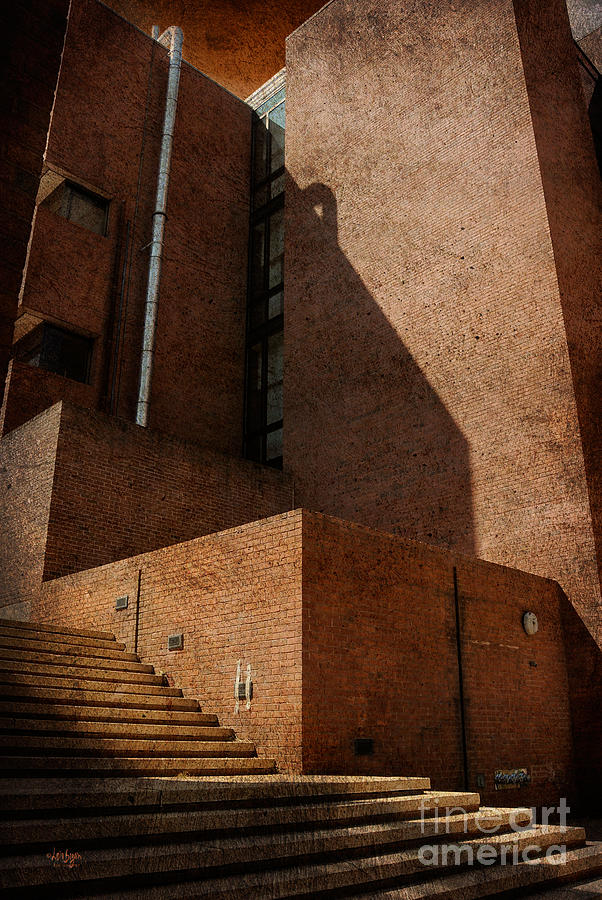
[[90, 805]]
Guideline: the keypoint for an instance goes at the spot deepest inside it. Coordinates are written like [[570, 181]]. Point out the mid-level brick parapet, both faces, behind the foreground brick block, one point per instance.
[[116, 490]]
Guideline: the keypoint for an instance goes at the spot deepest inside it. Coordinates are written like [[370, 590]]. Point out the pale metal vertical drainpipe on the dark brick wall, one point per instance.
[[159, 217]]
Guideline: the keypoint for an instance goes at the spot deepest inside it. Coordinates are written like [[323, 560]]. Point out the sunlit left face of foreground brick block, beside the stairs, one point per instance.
[[235, 596]]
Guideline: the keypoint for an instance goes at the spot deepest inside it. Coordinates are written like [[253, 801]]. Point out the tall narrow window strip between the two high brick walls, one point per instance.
[[265, 304]]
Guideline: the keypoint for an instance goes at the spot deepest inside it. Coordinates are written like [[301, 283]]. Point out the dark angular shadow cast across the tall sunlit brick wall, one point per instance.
[[367, 438]]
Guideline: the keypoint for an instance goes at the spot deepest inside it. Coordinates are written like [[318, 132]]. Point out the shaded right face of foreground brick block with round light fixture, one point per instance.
[[380, 661]]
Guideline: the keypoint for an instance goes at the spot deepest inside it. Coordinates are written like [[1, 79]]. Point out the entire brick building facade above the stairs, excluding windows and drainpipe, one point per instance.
[[441, 384]]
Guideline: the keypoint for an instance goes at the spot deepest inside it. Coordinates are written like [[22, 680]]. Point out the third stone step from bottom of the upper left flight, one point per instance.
[[133, 730]]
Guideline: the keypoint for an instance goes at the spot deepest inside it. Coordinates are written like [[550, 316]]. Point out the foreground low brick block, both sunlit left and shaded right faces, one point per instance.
[[350, 633]]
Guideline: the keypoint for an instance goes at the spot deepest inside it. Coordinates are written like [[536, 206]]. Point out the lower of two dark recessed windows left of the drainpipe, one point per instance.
[[57, 350]]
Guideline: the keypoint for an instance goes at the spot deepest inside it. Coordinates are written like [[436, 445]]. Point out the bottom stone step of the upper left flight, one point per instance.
[[121, 765]]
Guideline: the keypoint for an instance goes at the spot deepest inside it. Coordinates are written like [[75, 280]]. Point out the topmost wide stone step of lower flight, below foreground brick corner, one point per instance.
[[21, 794]]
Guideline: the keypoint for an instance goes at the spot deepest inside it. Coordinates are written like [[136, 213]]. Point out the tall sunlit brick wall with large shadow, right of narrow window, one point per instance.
[[437, 399]]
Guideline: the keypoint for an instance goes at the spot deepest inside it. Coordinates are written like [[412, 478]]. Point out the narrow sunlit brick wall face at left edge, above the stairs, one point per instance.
[[27, 459]]
